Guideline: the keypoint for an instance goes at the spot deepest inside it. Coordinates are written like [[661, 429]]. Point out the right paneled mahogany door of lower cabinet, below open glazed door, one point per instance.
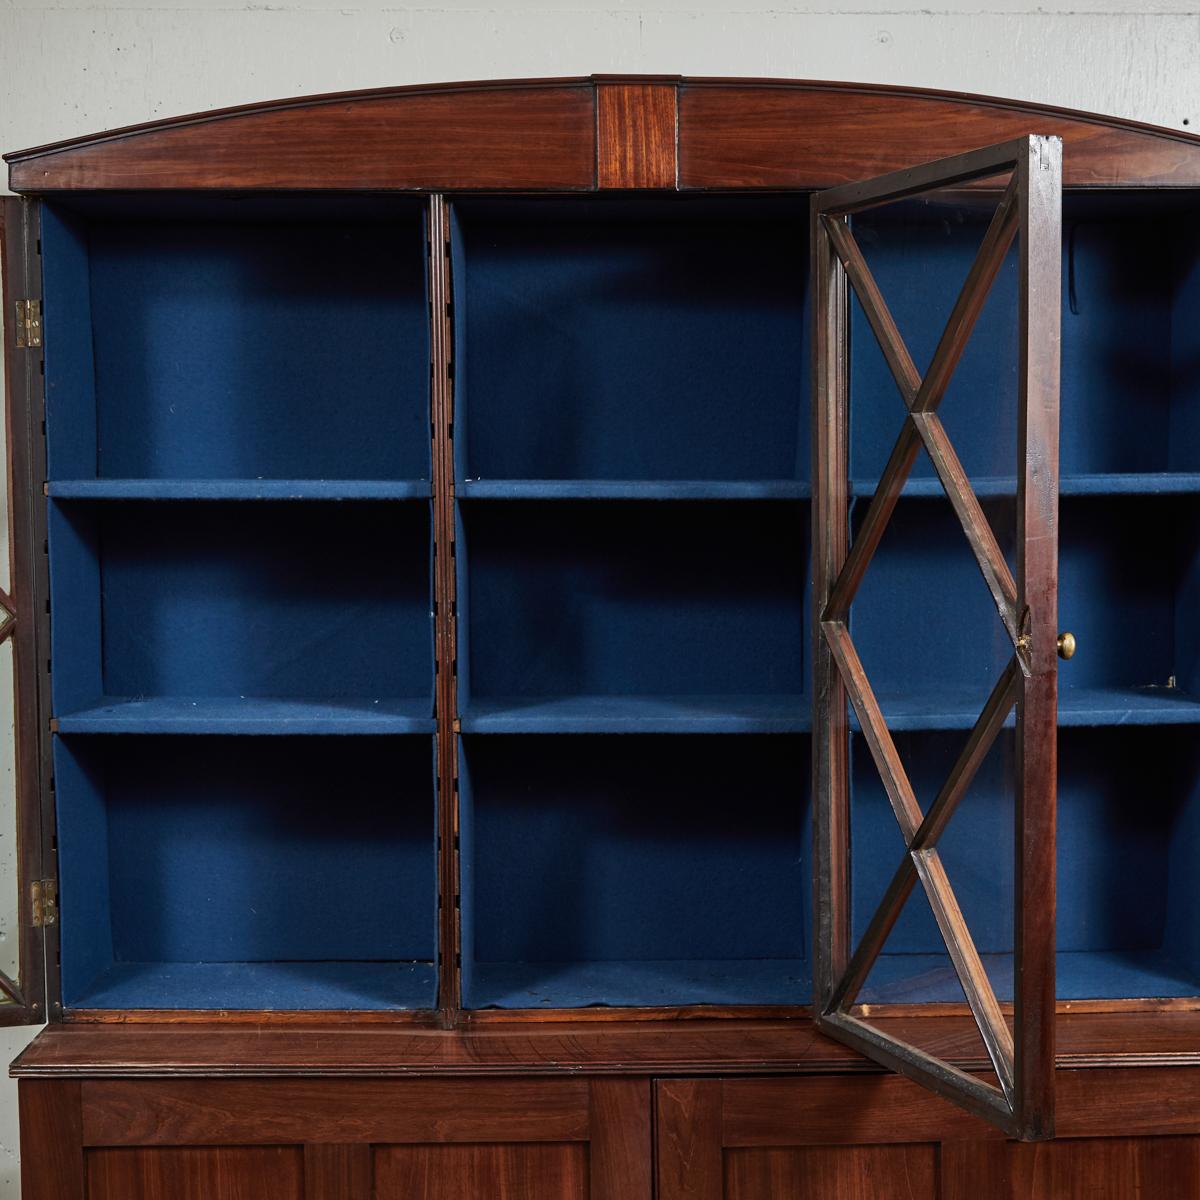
[[885, 1138]]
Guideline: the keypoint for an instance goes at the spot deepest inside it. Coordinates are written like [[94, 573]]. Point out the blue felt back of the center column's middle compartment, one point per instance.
[[633, 598]]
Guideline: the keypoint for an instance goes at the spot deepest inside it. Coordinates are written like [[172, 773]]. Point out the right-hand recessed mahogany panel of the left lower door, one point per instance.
[[484, 1173]]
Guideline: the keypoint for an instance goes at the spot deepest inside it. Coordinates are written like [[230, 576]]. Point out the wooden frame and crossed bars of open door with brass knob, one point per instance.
[[1021, 577]]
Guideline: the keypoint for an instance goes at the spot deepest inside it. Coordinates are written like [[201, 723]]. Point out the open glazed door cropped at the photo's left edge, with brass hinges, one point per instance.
[[28, 903]]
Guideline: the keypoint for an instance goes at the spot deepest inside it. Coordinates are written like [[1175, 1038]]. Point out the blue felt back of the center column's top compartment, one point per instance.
[[615, 340]]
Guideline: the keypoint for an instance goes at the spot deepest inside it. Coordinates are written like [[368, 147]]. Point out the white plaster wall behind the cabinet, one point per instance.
[[77, 67]]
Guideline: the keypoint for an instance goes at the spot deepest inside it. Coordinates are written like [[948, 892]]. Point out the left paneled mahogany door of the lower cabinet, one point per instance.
[[311, 1139]]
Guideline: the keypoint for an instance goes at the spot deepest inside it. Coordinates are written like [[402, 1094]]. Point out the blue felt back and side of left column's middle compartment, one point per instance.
[[209, 599]]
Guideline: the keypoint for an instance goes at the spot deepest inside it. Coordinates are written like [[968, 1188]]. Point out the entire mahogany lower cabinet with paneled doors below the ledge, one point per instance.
[[1125, 1135]]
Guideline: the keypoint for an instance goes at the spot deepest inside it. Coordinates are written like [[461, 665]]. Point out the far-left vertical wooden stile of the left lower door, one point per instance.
[[52, 1166]]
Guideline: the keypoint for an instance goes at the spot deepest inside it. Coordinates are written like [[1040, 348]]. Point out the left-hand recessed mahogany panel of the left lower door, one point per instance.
[[211, 1173]]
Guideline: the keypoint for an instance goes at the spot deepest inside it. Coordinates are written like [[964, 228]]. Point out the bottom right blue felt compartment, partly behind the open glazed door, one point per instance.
[[1129, 837]]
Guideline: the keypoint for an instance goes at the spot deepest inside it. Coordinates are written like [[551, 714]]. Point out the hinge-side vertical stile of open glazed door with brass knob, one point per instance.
[[831, 535]]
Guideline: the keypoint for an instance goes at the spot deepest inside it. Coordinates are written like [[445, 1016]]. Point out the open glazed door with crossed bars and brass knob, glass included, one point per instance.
[[913, 662]]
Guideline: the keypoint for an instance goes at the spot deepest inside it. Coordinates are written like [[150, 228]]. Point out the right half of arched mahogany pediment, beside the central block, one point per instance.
[[779, 134]]
